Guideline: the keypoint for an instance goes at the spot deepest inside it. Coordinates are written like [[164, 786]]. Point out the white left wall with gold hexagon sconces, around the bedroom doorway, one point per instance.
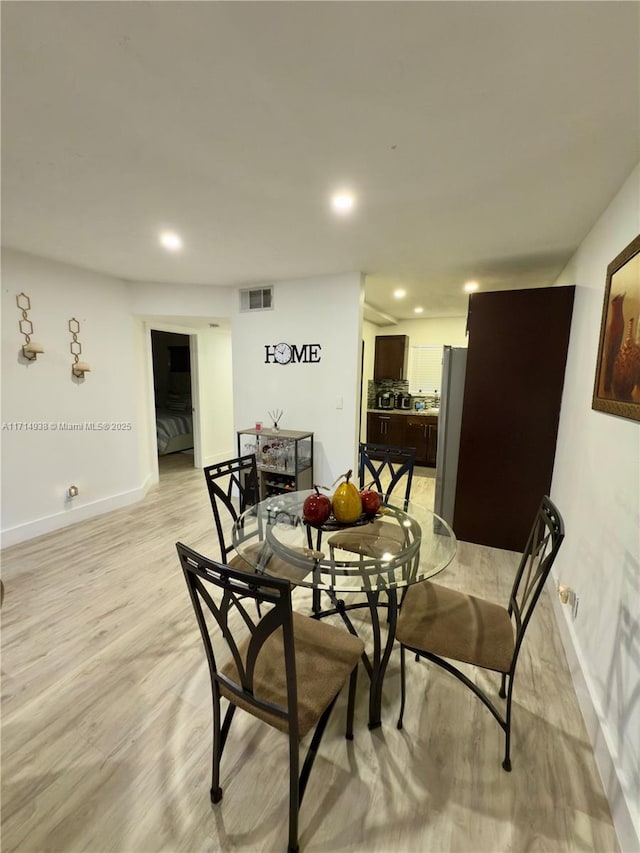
[[110, 467]]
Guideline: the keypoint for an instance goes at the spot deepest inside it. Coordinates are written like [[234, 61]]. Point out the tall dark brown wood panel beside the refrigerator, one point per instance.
[[518, 343]]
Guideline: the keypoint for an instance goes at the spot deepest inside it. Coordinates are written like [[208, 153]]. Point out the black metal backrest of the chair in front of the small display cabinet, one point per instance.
[[232, 486]]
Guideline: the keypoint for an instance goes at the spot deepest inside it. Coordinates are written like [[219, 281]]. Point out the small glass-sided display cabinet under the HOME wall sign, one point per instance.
[[284, 459]]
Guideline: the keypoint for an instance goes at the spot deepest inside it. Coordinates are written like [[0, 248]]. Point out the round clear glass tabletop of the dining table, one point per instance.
[[398, 547]]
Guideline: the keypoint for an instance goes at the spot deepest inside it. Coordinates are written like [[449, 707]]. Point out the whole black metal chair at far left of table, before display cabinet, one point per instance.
[[233, 487]]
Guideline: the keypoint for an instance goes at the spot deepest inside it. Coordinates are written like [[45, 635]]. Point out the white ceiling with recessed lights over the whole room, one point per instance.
[[482, 139]]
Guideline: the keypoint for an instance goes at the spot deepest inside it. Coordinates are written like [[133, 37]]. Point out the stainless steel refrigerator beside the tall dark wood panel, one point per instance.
[[454, 365]]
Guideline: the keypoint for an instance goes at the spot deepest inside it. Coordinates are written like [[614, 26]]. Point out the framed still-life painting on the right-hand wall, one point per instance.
[[617, 384]]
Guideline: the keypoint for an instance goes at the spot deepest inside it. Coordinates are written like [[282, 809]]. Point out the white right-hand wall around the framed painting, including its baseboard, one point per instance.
[[596, 484]]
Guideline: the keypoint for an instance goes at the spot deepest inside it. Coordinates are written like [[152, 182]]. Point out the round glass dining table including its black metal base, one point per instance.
[[361, 565]]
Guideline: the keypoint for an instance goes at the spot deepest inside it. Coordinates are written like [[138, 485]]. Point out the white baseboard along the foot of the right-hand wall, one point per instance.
[[621, 814]]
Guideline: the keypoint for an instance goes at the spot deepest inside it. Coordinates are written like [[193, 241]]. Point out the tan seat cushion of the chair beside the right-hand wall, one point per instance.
[[457, 626]]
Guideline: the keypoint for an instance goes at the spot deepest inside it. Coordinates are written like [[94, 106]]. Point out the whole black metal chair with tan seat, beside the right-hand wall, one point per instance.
[[438, 623]]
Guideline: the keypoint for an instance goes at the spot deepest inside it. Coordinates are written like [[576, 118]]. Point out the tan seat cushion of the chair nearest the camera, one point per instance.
[[325, 658]]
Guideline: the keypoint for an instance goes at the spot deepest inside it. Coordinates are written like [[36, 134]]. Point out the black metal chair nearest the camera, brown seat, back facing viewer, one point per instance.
[[285, 669]]
